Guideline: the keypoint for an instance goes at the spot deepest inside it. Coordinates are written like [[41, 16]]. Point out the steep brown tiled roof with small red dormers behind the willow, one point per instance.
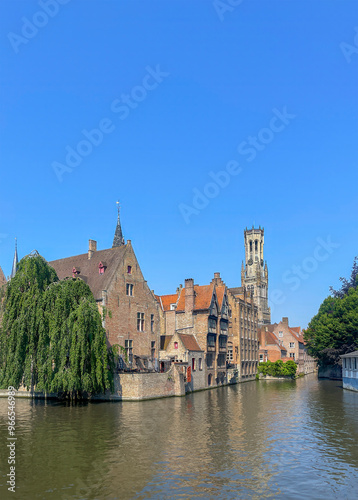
[[89, 267]]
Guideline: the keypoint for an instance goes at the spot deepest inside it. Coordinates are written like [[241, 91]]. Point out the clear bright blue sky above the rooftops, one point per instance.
[[179, 89]]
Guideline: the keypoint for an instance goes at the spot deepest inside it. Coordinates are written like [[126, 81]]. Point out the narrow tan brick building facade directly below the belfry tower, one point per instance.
[[243, 332]]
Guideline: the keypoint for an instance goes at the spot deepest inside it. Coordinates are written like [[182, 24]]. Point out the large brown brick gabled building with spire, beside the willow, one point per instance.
[[129, 309]]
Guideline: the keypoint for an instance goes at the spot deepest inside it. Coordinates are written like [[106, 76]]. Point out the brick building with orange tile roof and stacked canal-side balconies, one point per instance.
[[200, 313]]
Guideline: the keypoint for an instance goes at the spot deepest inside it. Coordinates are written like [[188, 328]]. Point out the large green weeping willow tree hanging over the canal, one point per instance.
[[52, 335]]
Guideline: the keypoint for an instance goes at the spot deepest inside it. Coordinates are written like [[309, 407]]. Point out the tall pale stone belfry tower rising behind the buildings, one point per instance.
[[254, 273]]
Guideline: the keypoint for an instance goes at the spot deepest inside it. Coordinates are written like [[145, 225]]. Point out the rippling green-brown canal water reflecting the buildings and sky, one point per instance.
[[273, 439]]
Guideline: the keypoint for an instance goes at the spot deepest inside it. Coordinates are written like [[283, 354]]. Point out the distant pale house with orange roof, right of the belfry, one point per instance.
[[291, 339]]
